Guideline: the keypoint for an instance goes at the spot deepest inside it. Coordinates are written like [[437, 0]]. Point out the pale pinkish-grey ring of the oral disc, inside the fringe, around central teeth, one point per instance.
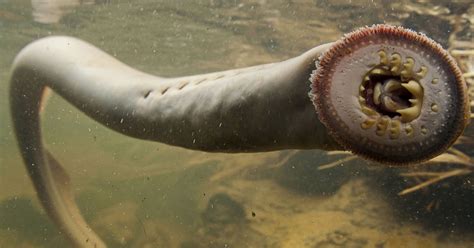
[[345, 94]]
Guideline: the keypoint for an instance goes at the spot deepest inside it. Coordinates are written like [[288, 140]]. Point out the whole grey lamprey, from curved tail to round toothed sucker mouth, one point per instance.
[[255, 109]]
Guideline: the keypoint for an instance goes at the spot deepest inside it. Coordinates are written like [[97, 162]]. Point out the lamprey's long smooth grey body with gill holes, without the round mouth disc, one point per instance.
[[255, 109]]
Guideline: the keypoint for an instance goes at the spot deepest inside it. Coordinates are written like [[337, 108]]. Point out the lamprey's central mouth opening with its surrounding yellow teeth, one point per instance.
[[391, 95]]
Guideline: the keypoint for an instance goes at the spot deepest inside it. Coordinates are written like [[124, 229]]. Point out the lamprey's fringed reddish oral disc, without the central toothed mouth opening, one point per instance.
[[340, 71]]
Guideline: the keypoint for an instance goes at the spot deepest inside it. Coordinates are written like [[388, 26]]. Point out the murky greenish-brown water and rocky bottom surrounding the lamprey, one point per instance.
[[138, 193]]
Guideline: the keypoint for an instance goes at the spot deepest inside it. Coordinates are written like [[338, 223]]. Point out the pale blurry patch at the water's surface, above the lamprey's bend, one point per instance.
[[51, 11]]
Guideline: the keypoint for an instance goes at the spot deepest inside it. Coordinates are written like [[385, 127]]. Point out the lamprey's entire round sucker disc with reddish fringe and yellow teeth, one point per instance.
[[390, 95]]
